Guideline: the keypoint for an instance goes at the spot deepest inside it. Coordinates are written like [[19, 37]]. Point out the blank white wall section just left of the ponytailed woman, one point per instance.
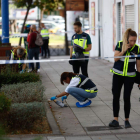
[[107, 25]]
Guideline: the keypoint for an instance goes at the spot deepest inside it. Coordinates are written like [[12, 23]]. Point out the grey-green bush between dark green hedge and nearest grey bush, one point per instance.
[[24, 92]]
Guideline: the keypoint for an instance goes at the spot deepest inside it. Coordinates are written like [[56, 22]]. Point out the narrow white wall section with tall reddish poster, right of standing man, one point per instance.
[[94, 39]]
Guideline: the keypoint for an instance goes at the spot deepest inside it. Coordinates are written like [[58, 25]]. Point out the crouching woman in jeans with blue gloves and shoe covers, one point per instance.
[[80, 87]]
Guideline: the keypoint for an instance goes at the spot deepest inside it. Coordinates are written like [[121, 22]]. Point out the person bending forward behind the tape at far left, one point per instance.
[[19, 53]]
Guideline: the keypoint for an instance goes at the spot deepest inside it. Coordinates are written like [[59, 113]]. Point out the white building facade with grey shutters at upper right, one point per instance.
[[108, 21]]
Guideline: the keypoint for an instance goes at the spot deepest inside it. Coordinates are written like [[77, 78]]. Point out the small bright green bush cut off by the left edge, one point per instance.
[[5, 103]]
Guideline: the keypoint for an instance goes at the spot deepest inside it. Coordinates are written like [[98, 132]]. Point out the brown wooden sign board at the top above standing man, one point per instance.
[[75, 5]]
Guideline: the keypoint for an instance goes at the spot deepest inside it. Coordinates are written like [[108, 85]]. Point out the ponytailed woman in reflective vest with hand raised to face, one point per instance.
[[124, 74]]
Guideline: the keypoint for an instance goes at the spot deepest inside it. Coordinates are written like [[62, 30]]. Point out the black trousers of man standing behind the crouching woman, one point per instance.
[[82, 65]]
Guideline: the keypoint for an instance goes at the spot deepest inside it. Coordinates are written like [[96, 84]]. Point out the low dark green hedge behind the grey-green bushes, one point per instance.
[[9, 77]]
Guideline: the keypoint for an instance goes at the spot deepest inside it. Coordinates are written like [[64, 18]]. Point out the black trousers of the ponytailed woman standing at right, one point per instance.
[[118, 82]]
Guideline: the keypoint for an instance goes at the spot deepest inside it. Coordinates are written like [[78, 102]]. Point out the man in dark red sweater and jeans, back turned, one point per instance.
[[34, 49]]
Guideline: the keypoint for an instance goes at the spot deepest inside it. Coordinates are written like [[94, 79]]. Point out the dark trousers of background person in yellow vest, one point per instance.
[[45, 48]]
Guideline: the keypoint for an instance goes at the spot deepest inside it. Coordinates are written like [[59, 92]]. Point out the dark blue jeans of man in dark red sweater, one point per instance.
[[34, 52]]
